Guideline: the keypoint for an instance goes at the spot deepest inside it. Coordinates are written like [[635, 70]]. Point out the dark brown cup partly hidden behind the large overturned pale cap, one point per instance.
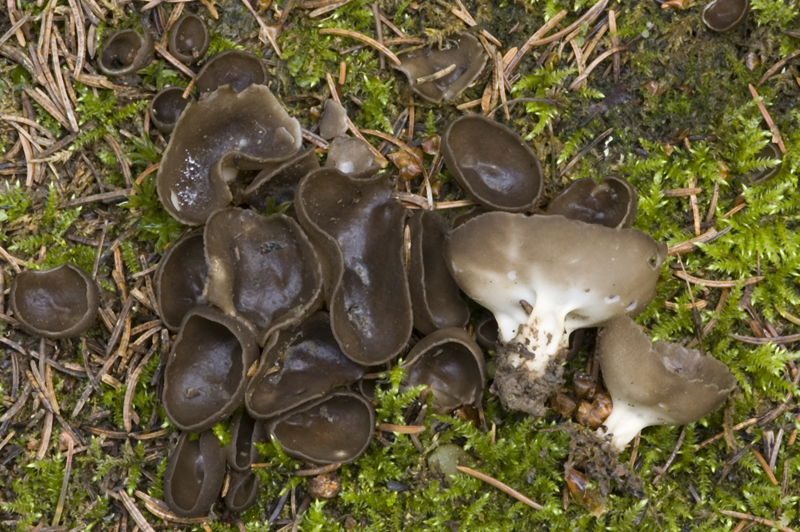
[[611, 203]]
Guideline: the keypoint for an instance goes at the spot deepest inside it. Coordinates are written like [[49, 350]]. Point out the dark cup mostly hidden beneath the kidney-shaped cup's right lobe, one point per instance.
[[280, 182]]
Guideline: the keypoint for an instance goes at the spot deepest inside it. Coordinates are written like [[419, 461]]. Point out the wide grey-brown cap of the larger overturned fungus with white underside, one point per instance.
[[581, 273]]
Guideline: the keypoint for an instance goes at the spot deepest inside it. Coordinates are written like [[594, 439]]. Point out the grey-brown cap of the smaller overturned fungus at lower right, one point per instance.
[[678, 385]]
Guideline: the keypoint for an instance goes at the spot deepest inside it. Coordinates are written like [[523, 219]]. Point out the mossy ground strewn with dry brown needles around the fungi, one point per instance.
[[636, 89]]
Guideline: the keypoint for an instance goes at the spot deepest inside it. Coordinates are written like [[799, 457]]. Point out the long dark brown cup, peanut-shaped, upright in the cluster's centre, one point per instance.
[[357, 228]]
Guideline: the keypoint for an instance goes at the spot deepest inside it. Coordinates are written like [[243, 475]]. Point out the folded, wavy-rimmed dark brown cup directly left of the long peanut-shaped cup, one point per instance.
[[261, 269]]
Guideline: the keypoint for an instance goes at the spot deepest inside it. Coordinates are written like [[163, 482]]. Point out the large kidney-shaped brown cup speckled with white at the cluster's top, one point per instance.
[[248, 130]]
